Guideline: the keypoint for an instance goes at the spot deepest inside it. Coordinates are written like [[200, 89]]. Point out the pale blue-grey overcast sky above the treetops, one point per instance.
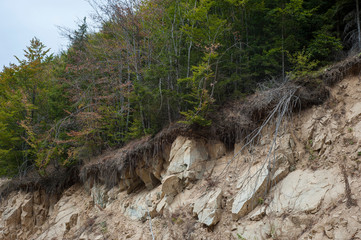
[[21, 20]]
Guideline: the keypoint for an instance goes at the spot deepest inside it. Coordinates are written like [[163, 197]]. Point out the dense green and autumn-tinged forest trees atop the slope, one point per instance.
[[154, 62]]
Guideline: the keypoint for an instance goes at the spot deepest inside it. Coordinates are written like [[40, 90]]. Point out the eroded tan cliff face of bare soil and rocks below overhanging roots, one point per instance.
[[289, 187]]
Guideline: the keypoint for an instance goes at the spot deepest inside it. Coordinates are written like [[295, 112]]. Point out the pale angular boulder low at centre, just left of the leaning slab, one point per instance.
[[208, 208]]
